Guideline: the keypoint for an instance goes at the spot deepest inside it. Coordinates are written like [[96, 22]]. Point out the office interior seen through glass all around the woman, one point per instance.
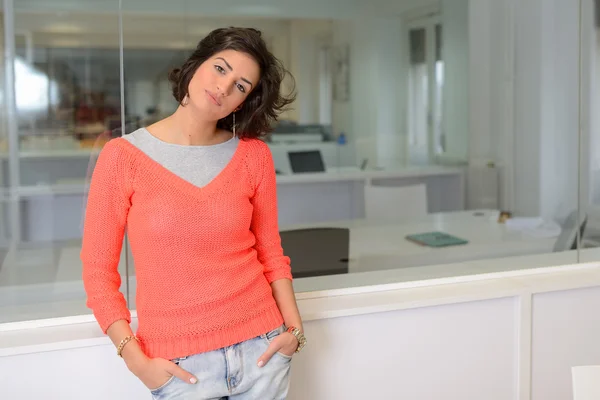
[[475, 119]]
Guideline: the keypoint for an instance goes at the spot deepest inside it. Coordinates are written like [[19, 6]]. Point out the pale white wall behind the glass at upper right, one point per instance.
[[524, 101]]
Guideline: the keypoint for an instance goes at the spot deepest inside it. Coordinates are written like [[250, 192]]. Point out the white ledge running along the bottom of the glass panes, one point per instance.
[[353, 294]]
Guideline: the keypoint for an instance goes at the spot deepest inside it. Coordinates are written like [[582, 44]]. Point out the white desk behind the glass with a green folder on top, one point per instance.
[[379, 247]]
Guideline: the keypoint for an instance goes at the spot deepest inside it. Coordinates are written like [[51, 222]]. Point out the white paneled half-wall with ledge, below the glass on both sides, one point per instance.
[[507, 331]]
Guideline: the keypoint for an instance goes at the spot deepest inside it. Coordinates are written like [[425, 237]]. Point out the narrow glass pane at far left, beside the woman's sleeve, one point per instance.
[[67, 100]]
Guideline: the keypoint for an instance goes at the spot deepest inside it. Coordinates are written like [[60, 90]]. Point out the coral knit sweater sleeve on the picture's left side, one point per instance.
[[103, 230]]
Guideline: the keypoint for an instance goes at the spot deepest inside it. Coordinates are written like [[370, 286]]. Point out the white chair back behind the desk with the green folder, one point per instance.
[[394, 203]]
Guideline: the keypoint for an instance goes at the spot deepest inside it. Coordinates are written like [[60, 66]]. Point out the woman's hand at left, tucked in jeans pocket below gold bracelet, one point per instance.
[[155, 372]]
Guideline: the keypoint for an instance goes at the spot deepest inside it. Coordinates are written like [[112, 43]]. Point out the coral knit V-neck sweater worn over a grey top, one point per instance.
[[204, 256]]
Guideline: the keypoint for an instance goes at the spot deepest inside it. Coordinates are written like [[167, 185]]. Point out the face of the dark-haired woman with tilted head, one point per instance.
[[222, 83]]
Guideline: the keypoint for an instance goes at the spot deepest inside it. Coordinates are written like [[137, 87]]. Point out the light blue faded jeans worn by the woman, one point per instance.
[[231, 373]]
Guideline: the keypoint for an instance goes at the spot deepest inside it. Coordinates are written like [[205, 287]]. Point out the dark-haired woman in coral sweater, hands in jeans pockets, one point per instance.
[[216, 309]]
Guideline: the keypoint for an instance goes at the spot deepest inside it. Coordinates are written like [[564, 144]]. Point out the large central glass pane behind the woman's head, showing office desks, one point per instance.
[[417, 143]]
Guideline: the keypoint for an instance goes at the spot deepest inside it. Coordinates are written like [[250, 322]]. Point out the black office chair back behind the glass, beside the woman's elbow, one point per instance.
[[317, 251]]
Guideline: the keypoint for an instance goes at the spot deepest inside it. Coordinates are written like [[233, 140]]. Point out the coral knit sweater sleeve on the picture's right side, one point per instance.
[[264, 221]]
